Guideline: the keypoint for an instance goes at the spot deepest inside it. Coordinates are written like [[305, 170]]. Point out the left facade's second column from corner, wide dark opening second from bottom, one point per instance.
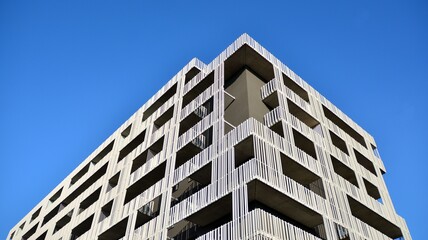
[[145, 182]]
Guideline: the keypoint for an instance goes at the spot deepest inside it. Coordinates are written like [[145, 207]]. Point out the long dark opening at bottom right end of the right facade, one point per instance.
[[373, 219]]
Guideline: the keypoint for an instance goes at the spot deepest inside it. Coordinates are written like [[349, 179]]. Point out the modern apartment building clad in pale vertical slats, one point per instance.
[[241, 148]]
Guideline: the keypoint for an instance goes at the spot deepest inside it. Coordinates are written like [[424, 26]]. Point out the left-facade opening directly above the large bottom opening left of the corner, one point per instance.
[[188, 186]]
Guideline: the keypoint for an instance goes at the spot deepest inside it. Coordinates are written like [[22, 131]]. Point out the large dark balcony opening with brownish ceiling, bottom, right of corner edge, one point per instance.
[[263, 196]]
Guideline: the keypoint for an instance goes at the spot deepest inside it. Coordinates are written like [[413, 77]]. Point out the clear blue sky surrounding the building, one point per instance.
[[72, 71]]
